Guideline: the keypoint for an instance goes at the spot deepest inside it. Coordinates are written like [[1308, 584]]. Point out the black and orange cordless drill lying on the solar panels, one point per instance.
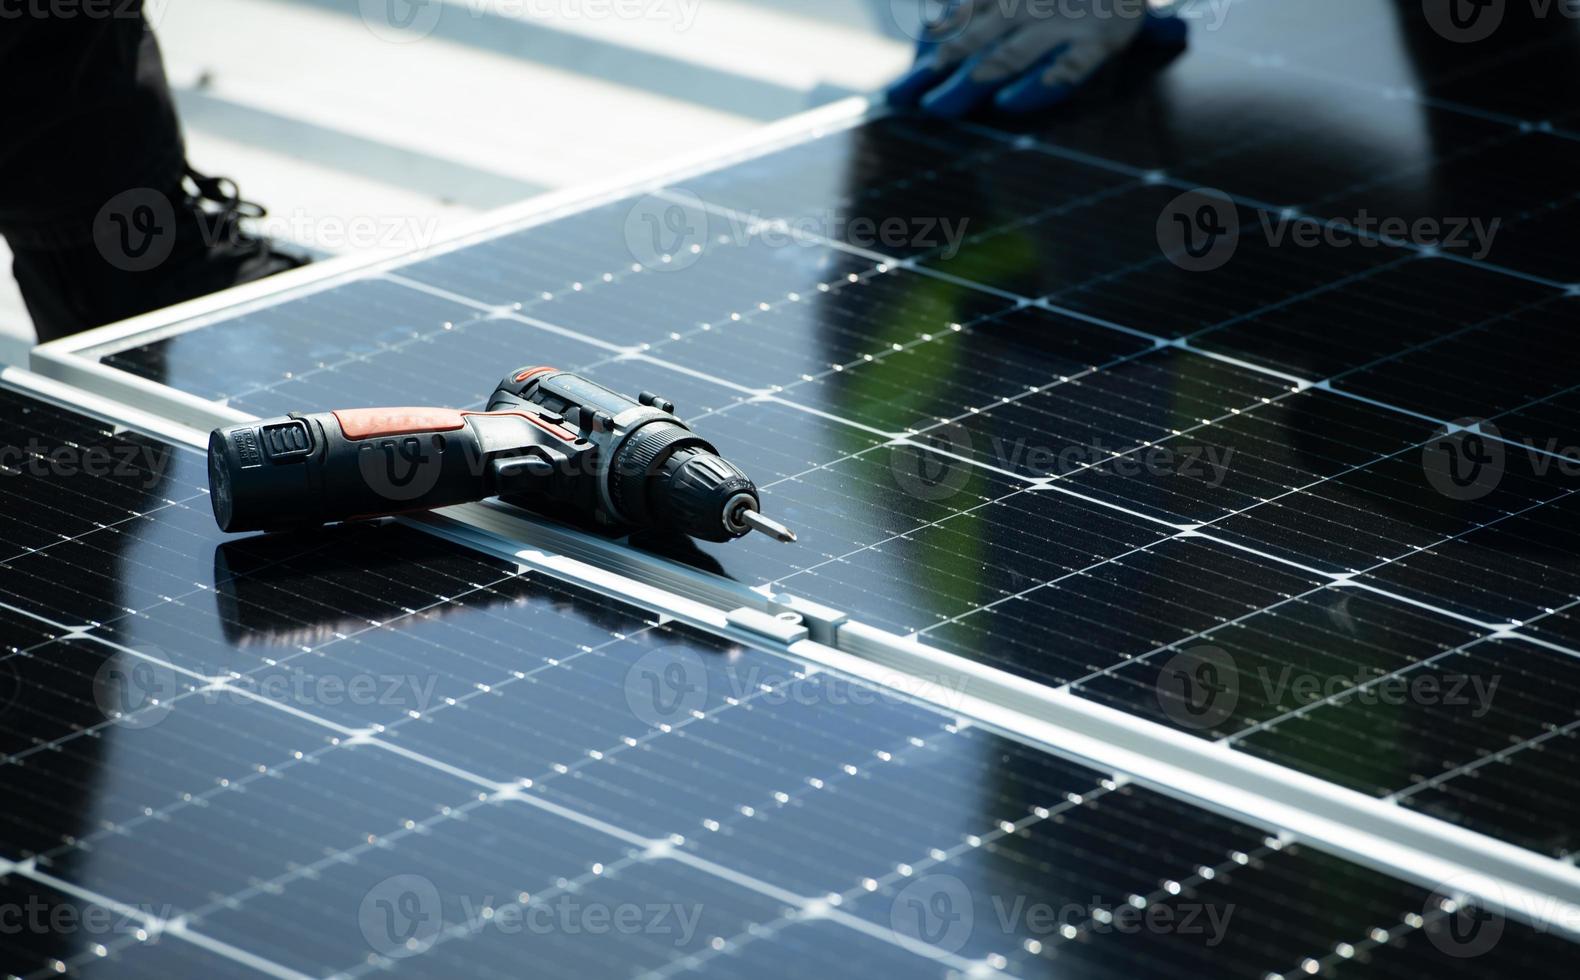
[[549, 440]]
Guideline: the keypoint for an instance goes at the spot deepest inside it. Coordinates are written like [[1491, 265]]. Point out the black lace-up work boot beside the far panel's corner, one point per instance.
[[148, 251]]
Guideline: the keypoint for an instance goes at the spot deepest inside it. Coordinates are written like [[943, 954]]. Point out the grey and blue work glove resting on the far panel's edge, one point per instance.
[[1026, 55]]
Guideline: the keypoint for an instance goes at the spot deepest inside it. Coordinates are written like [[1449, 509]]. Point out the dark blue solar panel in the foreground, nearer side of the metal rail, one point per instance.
[[236, 775]]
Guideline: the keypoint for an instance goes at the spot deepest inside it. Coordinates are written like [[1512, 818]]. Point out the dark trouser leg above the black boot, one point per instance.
[[88, 122]]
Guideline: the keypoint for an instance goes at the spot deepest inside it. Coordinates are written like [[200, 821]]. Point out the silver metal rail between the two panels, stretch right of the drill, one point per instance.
[[1371, 832]]
